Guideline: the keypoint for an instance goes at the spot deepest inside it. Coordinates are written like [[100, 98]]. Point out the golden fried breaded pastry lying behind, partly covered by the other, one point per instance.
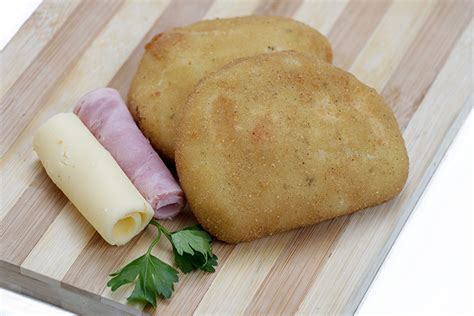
[[176, 60]]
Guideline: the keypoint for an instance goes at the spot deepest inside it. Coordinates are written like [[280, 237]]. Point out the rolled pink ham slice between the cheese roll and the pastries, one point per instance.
[[107, 117]]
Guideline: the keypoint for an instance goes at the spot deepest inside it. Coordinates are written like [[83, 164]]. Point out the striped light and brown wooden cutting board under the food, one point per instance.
[[417, 54]]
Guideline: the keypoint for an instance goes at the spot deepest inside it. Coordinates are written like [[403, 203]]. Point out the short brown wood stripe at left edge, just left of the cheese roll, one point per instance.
[[29, 218]]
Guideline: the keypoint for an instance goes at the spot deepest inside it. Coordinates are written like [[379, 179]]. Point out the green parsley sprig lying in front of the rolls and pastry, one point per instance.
[[192, 249]]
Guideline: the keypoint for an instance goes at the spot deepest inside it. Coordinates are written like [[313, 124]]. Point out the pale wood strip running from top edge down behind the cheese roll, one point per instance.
[[95, 69]]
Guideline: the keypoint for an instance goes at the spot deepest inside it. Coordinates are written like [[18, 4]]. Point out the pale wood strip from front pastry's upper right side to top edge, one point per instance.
[[395, 33]]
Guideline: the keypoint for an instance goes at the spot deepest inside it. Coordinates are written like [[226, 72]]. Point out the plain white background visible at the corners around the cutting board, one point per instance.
[[429, 270]]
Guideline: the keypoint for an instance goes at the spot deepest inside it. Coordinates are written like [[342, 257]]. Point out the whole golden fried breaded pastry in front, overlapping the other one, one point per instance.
[[279, 141]]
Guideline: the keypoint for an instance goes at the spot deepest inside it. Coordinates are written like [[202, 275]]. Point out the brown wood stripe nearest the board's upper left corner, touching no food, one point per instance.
[[23, 100]]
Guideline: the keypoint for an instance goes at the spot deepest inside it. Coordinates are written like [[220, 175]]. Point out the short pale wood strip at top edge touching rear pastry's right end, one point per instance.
[[320, 15]]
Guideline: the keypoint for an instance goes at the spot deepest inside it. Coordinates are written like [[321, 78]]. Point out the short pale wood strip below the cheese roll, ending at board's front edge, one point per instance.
[[44, 258]]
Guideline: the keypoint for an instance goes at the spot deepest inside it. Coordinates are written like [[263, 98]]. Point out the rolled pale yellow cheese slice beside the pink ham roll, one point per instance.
[[89, 176]]
